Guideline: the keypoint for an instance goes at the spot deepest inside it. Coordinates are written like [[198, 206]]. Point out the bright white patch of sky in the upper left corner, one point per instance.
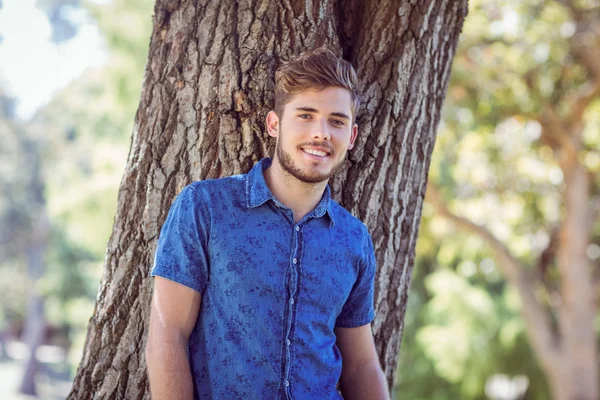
[[32, 67]]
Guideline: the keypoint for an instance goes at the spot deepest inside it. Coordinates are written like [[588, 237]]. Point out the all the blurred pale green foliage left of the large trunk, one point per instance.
[[83, 138]]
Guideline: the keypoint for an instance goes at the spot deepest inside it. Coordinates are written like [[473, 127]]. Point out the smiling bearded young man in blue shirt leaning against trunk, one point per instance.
[[263, 284]]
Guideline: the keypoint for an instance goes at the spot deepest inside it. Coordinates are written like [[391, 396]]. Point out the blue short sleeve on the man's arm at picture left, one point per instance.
[[181, 254]]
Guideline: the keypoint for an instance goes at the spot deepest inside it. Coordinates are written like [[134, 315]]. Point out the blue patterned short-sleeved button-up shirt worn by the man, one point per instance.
[[272, 290]]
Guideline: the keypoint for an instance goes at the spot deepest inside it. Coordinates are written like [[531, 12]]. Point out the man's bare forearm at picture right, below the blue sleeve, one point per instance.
[[362, 377]]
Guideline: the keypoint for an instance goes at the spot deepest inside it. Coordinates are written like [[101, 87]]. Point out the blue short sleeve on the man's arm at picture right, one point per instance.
[[359, 309]]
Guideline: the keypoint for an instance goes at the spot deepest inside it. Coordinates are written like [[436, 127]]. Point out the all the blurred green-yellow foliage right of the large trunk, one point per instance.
[[492, 165]]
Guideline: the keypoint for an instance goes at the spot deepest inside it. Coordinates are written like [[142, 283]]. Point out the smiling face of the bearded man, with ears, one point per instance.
[[314, 134]]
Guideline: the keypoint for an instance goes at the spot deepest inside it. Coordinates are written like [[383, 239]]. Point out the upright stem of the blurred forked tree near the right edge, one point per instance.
[[578, 377]]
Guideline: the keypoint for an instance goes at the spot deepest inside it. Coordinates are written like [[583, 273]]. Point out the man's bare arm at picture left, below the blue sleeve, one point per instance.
[[173, 315]]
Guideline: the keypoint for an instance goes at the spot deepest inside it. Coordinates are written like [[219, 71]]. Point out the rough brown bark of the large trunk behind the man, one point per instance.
[[207, 88]]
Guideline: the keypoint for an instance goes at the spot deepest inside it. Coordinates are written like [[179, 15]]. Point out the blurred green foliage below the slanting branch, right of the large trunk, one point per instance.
[[463, 324]]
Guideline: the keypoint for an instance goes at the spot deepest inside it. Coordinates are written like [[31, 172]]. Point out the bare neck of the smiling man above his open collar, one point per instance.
[[297, 195]]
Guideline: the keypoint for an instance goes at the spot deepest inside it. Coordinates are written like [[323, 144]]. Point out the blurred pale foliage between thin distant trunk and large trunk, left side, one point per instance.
[[90, 123]]
